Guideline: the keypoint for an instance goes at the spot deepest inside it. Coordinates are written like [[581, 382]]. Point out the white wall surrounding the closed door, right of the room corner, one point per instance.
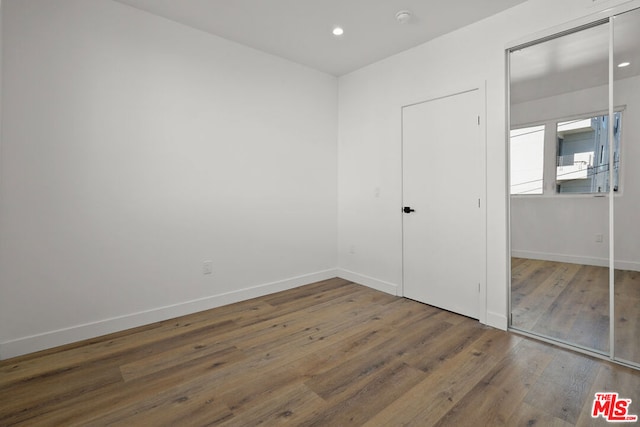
[[370, 227]]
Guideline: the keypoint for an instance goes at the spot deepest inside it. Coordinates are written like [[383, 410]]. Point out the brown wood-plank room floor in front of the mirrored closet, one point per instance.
[[328, 354]]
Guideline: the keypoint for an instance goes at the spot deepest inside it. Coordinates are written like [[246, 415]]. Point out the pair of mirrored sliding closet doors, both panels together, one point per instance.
[[573, 205]]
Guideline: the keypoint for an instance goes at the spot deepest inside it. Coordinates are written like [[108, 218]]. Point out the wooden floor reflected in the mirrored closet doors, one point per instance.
[[570, 302]]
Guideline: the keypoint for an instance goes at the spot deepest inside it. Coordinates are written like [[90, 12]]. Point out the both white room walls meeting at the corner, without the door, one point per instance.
[[134, 148]]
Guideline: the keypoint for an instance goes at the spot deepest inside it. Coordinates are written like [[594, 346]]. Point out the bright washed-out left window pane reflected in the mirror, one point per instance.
[[527, 160]]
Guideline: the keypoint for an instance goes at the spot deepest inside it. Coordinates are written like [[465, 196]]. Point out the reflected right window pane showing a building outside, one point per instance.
[[583, 155]]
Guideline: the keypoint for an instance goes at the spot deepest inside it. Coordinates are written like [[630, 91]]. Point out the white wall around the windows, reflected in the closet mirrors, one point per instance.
[[564, 227]]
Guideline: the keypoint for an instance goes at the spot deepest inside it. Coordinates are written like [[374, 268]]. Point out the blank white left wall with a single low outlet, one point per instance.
[[133, 149]]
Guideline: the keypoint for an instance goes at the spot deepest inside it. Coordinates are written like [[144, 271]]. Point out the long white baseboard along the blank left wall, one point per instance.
[[76, 333]]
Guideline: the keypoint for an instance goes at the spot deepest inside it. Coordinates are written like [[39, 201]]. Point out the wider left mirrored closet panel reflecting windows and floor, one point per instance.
[[559, 169]]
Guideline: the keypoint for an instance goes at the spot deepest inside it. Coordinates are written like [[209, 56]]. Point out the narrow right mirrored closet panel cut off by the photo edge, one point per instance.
[[626, 175]]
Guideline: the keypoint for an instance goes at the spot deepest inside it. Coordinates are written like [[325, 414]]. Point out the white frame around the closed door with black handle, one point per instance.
[[479, 86]]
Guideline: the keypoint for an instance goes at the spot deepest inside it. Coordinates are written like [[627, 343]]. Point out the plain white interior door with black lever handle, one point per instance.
[[443, 185]]
